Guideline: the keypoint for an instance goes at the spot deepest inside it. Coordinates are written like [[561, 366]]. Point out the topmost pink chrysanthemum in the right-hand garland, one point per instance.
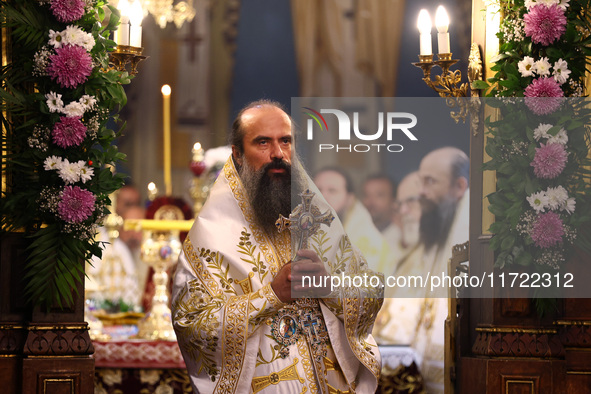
[[545, 24]]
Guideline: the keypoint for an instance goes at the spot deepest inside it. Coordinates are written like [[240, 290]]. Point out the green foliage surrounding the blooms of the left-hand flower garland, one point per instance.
[[59, 247]]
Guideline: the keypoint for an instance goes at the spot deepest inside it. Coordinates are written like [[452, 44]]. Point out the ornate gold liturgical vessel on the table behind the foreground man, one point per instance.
[[160, 249]]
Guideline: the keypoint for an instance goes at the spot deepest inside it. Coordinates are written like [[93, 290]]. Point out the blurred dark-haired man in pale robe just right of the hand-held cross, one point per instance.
[[337, 188]]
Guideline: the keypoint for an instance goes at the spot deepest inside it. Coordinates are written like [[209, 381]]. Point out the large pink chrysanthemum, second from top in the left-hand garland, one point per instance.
[[70, 66]]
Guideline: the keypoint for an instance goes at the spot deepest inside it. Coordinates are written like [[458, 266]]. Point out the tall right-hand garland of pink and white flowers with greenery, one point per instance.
[[540, 142]]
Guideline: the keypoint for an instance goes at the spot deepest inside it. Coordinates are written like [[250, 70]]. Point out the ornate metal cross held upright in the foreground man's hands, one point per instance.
[[304, 221]]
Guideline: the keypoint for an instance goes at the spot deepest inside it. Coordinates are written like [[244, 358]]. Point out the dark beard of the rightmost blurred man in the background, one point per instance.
[[436, 221]]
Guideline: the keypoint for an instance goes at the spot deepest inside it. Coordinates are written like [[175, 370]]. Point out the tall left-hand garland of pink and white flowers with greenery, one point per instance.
[[59, 100]]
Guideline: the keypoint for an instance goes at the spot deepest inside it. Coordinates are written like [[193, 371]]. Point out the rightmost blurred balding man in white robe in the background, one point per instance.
[[444, 200]]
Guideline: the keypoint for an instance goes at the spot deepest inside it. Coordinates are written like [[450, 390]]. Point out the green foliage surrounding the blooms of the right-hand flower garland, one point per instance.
[[514, 139]]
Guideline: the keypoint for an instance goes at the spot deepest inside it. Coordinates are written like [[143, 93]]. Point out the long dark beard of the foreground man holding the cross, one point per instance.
[[269, 195]]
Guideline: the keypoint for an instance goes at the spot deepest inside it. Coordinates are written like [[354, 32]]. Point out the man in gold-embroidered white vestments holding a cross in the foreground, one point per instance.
[[238, 328]]
